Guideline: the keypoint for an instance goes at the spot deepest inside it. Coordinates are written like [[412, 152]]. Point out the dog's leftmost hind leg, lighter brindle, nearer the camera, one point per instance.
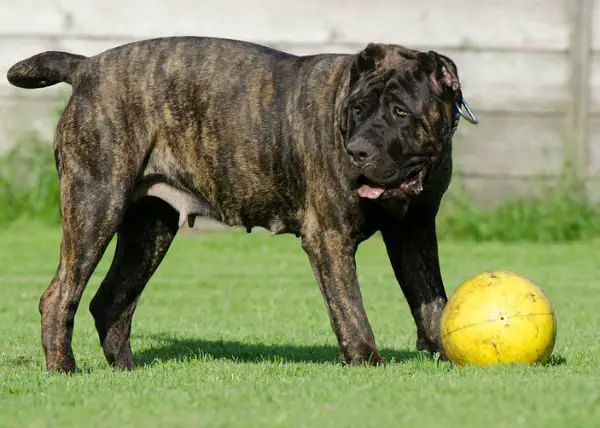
[[91, 209]]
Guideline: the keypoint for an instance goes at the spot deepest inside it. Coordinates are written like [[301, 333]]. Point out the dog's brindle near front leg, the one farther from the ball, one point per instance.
[[333, 261]]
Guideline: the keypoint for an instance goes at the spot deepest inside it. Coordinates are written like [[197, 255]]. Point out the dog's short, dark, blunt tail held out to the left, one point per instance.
[[45, 69]]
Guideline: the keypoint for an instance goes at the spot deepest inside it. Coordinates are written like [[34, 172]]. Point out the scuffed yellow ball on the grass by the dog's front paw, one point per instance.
[[498, 318]]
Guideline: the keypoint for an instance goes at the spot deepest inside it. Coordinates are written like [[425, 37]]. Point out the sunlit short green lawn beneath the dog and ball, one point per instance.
[[232, 332]]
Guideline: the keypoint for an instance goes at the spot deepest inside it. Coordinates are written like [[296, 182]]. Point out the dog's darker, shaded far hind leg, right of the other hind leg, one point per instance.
[[143, 239]]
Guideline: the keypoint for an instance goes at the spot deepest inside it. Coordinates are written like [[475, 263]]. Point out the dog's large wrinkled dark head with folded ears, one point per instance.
[[399, 118]]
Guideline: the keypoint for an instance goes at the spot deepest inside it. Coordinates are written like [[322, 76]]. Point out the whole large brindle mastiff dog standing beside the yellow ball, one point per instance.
[[331, 148]]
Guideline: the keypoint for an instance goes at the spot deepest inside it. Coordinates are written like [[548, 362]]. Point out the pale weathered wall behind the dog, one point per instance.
[[530, 68]]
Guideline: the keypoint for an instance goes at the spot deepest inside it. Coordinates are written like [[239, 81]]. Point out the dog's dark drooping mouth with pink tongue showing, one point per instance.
[[411, 183]]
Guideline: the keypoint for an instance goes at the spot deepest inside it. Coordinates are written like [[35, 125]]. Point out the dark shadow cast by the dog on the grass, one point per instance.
[[177, 349]]
